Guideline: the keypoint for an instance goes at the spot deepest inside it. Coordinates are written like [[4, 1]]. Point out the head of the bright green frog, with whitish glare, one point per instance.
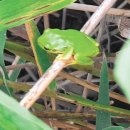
[[52, 41]]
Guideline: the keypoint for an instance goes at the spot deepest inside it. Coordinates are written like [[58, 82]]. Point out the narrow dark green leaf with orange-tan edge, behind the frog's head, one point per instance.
[[41, 57]]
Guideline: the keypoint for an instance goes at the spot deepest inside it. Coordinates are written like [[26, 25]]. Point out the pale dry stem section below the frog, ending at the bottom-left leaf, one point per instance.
[[42, 84]]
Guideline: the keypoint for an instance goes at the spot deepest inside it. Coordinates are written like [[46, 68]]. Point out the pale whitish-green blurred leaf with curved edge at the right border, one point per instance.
[[122, 69]]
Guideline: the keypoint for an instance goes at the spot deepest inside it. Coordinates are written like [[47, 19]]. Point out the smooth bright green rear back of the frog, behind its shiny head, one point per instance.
[[83, 44]]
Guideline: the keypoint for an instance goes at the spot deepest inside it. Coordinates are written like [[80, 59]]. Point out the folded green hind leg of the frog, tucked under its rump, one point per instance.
[[83, 60]]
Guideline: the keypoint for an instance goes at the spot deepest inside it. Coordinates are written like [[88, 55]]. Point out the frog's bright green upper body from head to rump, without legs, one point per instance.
[[60, 39]]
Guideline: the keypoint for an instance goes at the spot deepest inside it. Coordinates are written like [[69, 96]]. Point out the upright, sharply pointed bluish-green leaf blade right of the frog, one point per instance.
[[103, 119]]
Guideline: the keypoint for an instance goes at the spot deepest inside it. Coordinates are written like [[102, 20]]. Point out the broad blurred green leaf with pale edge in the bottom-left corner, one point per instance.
[[15, 117]]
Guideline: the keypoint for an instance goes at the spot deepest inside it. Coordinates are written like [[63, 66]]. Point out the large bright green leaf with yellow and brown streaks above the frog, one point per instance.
[[17, 12]]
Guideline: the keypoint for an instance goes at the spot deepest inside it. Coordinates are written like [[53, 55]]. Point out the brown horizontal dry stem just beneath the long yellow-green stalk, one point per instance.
[[79, 116]]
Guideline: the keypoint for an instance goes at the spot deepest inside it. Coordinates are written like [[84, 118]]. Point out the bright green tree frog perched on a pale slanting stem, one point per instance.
[[81, 46]]
